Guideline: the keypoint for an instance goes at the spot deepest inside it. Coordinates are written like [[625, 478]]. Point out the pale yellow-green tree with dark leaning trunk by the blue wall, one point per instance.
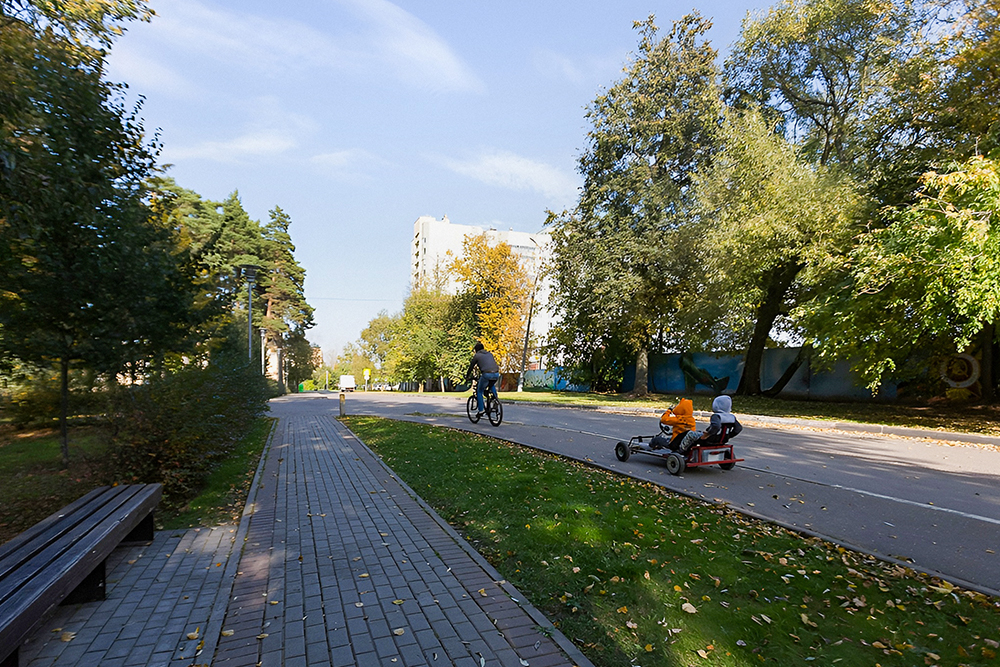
[[772, 231]]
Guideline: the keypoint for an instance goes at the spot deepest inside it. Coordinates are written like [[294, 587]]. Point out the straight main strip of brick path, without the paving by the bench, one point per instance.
[[342, 565]]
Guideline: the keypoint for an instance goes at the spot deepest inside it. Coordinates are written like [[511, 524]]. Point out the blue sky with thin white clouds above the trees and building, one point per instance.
[[358, 116]]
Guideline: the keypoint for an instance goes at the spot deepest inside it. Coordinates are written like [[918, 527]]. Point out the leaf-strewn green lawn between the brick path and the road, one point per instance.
[[635, 575]]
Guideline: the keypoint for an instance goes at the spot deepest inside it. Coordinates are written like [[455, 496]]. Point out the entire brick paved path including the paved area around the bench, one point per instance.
[[341, 565]]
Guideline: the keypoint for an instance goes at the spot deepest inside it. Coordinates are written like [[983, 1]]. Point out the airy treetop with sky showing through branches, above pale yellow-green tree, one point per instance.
[[824, 66]]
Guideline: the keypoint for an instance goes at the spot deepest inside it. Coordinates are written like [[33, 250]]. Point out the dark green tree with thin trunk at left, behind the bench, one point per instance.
[[87, 278]]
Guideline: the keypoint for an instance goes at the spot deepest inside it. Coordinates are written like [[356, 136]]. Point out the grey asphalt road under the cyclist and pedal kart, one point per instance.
[[932, 505]]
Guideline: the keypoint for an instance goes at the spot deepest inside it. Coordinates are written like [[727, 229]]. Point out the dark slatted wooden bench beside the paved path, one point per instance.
[[60, 560]]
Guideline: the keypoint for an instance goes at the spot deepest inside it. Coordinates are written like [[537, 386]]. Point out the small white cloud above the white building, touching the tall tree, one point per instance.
[[515, 172]]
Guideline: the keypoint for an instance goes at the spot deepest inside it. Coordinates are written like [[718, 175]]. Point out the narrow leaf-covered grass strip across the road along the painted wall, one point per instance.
[[961, 418]]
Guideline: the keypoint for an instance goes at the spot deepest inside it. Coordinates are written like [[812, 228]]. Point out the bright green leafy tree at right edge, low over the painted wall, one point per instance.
[[928, 281]]
